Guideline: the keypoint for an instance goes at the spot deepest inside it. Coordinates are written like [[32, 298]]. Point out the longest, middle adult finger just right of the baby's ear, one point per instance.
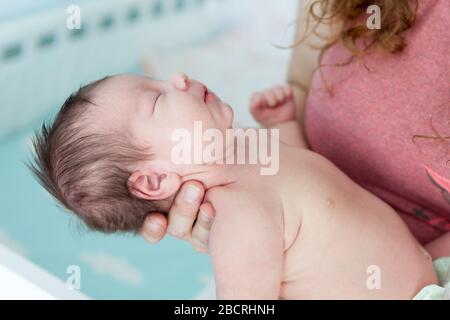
[[185, 208]]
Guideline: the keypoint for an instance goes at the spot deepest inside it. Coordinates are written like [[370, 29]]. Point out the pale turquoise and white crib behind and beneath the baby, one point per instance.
[[43, 58]]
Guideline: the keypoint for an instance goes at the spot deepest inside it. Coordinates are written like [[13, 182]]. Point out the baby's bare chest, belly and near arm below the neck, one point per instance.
[[309, 232]]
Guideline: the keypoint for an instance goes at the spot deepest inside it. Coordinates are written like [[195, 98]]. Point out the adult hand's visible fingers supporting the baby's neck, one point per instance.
[[188, 219]]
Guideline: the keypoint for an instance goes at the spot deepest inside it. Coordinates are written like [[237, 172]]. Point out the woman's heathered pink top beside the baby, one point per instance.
[[371, 126]]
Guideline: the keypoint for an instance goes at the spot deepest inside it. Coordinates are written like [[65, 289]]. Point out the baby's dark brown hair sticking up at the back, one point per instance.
[[86, 171]]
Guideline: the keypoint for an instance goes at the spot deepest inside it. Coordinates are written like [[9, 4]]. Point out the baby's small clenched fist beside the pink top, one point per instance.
[[273, 106]]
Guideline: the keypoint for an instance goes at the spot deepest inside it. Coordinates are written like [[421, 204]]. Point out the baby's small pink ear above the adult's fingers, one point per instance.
[[151, 185]]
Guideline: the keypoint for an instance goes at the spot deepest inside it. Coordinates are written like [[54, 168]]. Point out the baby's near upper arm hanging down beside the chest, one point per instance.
[[246, 248]]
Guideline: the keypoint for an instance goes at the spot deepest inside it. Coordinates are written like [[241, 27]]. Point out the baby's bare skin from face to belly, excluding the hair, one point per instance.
[[307, 232]]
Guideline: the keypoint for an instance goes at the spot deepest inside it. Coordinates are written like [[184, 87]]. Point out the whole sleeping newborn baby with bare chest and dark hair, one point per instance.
[[305, 232]]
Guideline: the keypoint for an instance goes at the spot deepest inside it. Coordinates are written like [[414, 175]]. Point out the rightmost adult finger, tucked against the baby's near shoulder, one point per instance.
[[202, 227]]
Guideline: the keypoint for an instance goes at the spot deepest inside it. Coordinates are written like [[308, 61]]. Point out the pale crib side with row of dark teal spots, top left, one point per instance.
[[42, 61]]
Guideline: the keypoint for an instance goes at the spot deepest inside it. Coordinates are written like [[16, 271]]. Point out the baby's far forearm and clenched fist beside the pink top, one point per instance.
[[274, 108]]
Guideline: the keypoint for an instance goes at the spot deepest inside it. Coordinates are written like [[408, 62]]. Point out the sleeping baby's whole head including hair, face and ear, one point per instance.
[[107, 155]]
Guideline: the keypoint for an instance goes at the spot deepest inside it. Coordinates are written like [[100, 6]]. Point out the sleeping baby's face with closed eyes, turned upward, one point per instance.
[[153, 109]]
